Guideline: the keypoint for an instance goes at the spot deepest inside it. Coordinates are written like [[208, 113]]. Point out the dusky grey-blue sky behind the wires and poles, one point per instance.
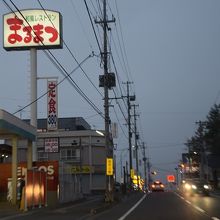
[[172, 56]]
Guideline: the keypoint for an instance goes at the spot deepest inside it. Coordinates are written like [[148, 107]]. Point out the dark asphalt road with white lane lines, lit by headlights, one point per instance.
[[165, 206]]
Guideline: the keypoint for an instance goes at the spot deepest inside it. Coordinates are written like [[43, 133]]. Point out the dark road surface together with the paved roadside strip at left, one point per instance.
[[153, 206]]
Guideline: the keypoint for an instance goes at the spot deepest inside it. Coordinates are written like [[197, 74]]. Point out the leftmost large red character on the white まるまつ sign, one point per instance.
[[15, 25]]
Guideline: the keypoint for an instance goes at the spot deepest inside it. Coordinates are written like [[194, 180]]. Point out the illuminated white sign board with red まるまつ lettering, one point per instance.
[[32, 29]]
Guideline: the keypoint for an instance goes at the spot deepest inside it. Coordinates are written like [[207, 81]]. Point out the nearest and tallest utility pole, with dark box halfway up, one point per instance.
[[107, 81]]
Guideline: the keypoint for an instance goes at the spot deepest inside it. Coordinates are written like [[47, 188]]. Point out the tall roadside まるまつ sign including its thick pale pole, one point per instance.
[[32, 30]]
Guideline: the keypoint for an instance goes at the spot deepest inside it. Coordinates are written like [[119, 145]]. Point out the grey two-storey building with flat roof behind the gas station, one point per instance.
[[80, 153]]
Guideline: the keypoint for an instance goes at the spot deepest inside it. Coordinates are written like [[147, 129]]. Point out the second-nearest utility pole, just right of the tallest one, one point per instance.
[[129, 98]]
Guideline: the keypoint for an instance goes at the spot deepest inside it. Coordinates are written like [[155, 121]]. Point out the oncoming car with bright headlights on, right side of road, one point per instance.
[[196, 186]]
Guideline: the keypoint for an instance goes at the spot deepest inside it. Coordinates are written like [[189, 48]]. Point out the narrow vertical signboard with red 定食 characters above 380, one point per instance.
[[52, 110]]
